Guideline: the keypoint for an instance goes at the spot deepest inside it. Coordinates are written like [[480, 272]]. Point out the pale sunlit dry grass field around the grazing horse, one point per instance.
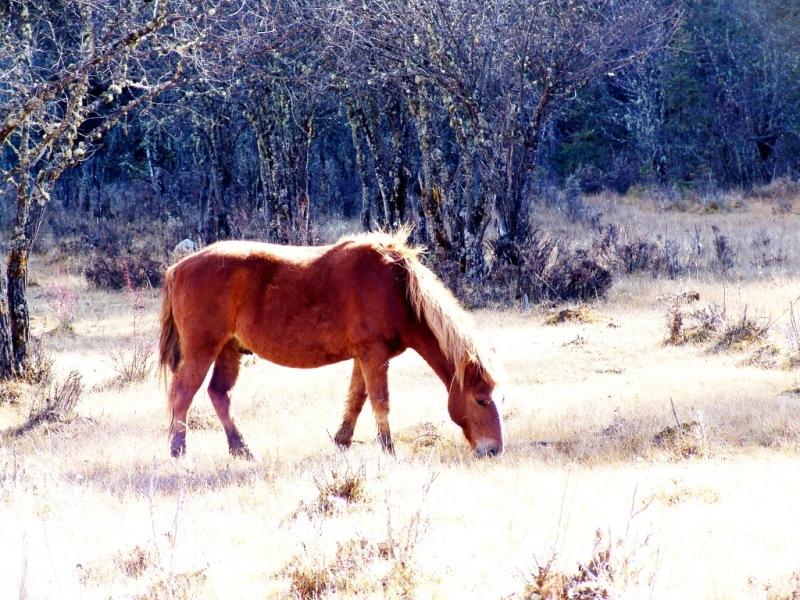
[[633, 468]]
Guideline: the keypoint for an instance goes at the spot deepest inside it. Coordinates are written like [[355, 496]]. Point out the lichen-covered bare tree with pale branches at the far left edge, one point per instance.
[[69, 72]]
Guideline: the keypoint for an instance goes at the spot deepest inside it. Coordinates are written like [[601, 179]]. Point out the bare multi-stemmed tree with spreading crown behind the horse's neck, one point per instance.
[[493, 72]]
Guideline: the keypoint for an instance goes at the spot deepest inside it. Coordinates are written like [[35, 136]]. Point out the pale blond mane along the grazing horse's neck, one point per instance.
[[433, 303]]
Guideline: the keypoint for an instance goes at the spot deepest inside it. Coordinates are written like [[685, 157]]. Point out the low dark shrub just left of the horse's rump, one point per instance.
[[114, 272]]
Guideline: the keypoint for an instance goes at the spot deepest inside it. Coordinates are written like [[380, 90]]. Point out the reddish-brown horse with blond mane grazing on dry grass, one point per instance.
[[366, 298]]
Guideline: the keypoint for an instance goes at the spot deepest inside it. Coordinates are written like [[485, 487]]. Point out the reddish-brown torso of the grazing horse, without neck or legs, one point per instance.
[[293, 305]]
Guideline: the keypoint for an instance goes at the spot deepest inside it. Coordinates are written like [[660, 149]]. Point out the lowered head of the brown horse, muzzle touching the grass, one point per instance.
[[473, 406]]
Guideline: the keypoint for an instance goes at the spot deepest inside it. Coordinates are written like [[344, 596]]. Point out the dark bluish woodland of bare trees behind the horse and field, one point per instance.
[[127, 126]]
